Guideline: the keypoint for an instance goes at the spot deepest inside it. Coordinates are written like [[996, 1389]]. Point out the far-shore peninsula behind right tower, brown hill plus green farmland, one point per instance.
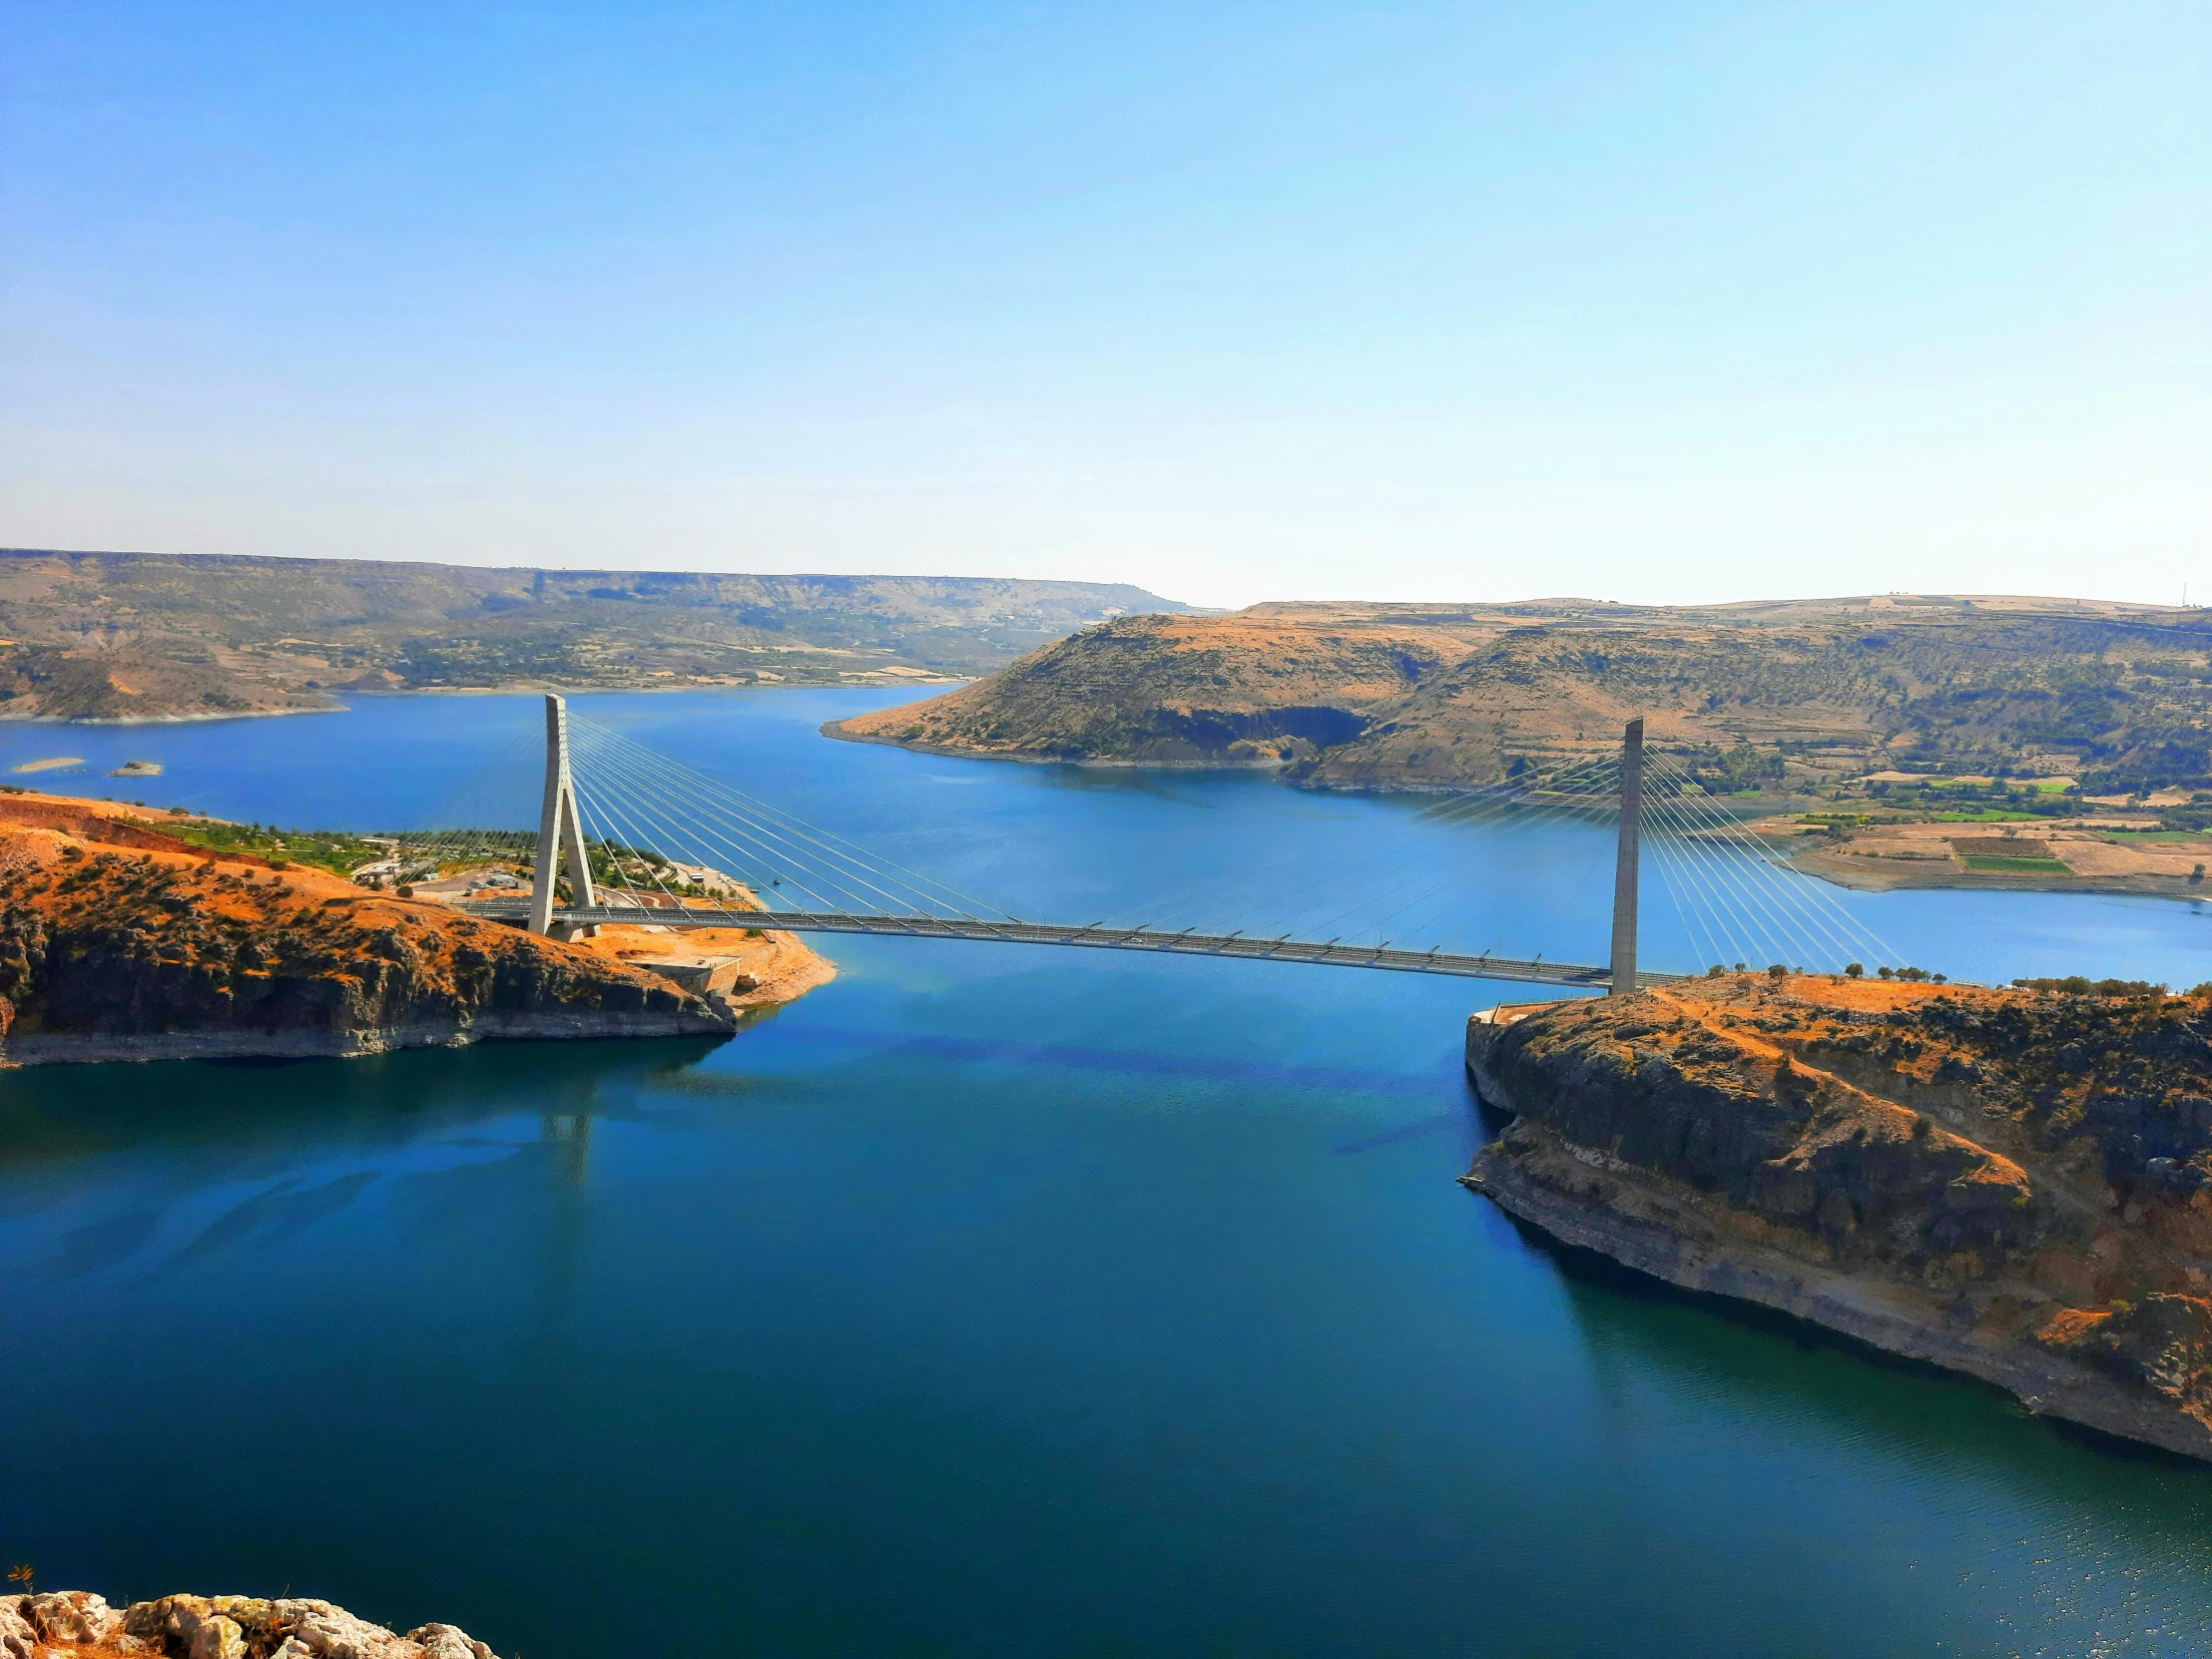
[[1888, 738]]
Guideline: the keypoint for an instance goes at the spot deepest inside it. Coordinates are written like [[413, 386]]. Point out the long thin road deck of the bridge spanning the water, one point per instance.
[[1103, 939]]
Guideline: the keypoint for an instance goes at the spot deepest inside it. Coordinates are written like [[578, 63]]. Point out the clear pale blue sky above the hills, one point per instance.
[[1640, 302]]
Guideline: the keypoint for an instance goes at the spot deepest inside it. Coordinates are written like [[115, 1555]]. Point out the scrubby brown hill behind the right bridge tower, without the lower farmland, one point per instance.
[[1419, 698]]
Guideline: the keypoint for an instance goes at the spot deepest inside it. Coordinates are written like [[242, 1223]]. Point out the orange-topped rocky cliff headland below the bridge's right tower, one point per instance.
[[2012, 1185]]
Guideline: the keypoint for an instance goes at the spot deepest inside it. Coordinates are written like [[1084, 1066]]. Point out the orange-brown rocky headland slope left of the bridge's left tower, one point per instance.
[[121, 943]]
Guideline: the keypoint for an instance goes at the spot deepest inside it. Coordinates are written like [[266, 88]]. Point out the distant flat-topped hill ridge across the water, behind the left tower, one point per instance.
[[156, 636]]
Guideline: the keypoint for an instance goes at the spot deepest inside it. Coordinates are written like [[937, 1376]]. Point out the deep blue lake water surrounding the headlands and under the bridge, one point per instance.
[[990, 1300]]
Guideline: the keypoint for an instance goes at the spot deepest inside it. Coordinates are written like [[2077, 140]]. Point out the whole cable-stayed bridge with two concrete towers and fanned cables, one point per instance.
[[636, 837]]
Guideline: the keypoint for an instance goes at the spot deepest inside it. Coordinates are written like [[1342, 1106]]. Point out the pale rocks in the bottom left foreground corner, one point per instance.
[[213, 1627]]
